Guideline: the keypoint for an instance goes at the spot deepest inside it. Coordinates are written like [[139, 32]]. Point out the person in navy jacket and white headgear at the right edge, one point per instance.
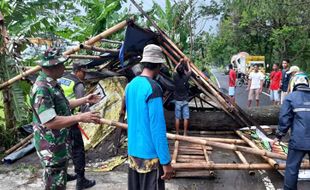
[[294, 115]]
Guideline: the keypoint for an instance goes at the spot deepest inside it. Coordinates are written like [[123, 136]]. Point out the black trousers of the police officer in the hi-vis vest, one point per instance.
[[78, 151]]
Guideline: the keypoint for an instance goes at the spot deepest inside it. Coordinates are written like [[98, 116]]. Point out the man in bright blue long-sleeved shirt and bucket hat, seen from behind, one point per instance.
[[148, 150]]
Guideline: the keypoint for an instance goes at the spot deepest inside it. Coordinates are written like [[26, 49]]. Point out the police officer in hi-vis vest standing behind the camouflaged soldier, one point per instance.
[[74, 88]]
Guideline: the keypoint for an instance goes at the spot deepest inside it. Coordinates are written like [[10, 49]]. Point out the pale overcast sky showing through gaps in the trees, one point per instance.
[[209, 25]]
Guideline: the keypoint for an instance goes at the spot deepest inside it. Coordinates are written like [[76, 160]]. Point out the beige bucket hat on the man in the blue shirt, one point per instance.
[[152, 54]]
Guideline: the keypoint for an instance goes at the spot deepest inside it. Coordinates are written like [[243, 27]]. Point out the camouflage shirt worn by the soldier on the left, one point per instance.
[[49, 101]]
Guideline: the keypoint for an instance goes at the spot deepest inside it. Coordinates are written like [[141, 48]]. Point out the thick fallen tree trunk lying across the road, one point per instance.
[[219, 120]]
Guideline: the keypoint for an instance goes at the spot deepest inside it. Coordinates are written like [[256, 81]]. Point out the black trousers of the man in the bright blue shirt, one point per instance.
[[146, 181]]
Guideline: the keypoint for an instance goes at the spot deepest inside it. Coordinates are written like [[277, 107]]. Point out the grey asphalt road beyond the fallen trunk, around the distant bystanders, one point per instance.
[[241, 92]]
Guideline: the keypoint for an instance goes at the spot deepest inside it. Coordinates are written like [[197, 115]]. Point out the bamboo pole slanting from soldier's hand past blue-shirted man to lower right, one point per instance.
[[205, 142]]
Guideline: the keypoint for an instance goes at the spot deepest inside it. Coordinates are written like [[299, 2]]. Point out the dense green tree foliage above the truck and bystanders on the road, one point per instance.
[[275, 29]]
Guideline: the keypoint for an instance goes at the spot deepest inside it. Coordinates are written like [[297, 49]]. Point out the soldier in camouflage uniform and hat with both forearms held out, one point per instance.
[[52, 119]]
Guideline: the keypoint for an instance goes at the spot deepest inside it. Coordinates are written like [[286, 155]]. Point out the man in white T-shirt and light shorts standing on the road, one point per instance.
[[255, 86]]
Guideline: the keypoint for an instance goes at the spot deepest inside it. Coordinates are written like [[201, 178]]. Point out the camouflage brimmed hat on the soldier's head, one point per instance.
[[52, 57]]
